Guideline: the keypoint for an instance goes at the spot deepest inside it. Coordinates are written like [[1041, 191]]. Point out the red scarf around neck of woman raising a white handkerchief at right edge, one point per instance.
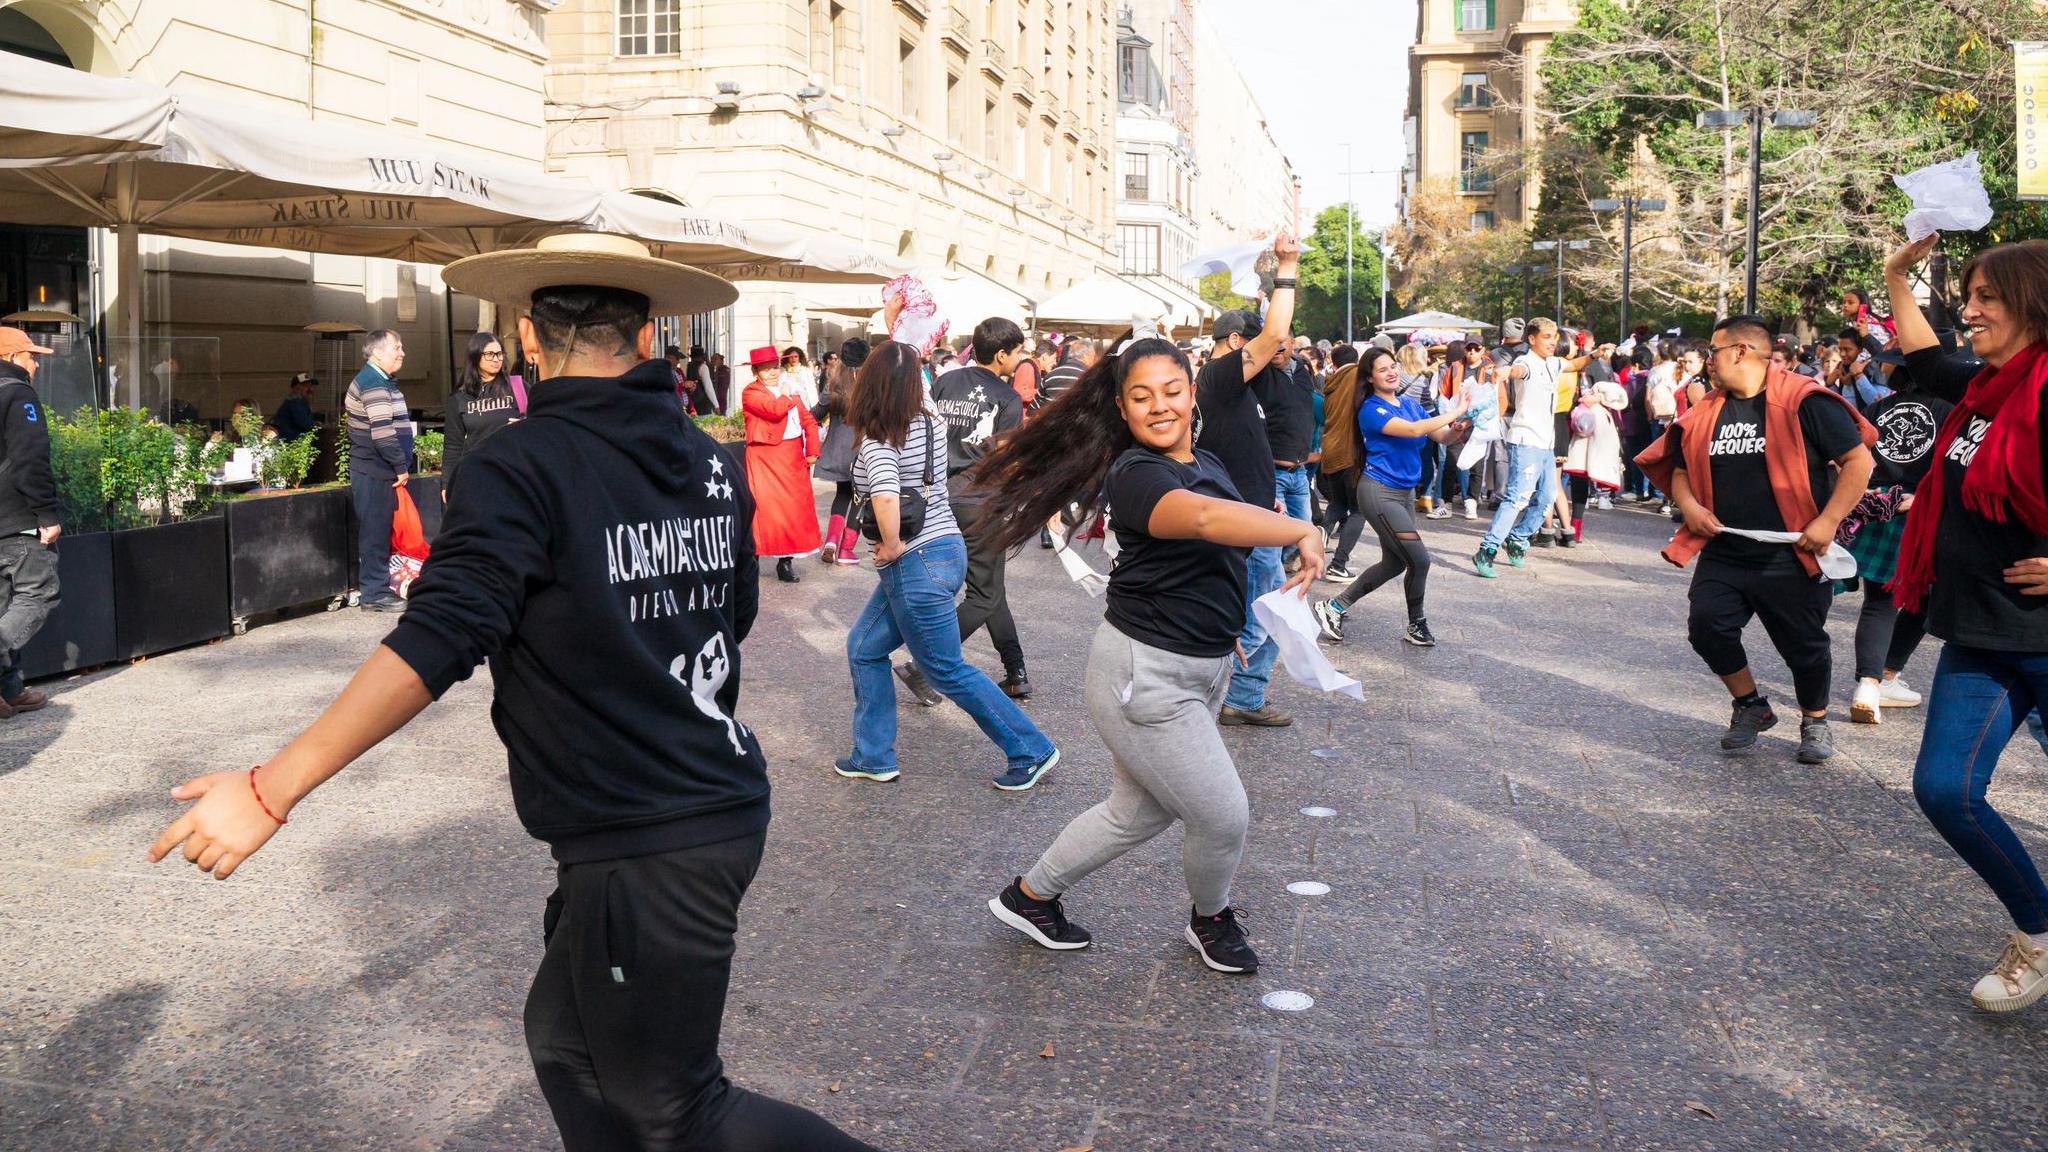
[[2006, 477]]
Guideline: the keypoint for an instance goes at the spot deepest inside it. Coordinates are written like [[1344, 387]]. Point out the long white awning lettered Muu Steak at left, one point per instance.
[[216, 171]]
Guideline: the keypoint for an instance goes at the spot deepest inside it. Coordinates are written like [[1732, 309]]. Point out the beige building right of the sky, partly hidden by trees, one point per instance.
[[1471, 95]]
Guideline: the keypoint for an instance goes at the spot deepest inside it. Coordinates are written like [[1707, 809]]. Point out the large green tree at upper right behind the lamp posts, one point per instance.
[[1895, 85]]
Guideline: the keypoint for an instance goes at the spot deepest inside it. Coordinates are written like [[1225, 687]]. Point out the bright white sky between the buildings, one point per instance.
[[1328, 73]]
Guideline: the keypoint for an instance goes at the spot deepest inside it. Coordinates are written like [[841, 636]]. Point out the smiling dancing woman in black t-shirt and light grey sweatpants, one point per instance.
[[1123, 436]]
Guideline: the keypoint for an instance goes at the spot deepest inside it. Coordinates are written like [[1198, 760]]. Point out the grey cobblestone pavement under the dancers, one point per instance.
[[1555, 919]]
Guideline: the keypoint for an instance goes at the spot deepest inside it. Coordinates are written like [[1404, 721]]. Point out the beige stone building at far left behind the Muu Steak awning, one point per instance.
[[464, 73]]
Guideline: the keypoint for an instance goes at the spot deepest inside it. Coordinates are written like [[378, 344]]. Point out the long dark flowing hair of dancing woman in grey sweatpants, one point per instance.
[[1064, 454]]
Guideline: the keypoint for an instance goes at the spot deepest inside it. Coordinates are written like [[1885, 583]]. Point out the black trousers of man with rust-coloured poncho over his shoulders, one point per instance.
[[1793, 610]]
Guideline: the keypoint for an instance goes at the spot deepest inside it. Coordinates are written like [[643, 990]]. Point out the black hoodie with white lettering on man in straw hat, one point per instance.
[[601, 557]]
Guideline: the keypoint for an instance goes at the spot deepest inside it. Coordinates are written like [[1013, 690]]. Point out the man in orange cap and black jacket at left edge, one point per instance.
[[30, 522]]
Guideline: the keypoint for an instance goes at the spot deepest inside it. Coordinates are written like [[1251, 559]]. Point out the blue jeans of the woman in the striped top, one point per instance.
[[912, 608]]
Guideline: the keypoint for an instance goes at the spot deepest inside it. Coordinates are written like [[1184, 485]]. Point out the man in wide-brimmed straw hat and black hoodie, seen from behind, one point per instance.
[[599, 554]]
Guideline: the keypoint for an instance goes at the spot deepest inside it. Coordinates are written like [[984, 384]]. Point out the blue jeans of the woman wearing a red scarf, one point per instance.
[[1977, 702]]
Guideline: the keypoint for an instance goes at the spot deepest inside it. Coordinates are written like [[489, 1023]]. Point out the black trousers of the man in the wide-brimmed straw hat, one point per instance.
[[624, 1018]]
